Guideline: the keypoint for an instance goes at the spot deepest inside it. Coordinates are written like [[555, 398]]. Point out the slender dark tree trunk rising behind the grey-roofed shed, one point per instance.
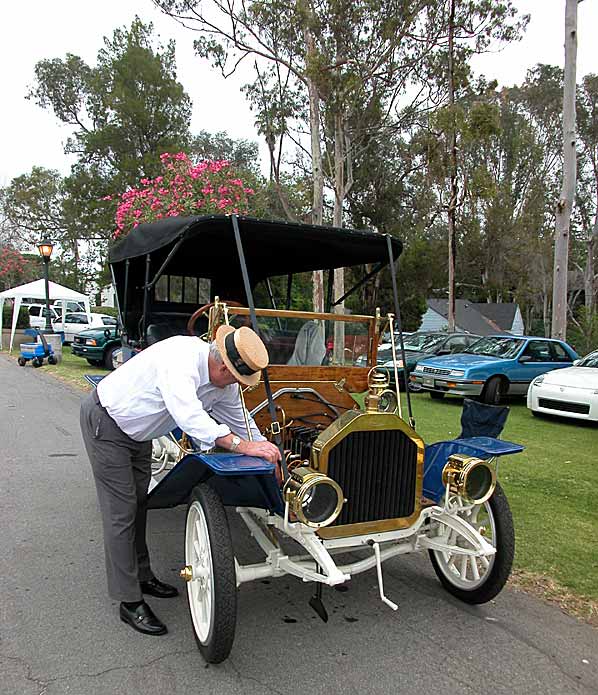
[[452, 245]]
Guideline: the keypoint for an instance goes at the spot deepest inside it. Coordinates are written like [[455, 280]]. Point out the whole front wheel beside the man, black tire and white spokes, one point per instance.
[[212, 590]]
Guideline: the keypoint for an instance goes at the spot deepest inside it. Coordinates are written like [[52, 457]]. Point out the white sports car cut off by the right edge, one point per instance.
[[569, 392]]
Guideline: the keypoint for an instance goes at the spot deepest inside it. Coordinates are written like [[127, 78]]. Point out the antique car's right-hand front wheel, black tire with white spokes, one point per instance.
[[478, 580]]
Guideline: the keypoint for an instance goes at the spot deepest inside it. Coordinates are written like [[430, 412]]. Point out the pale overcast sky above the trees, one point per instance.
[[29, 32]]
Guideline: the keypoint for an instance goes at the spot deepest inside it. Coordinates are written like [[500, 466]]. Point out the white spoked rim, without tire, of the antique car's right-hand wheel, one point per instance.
[[468, 572]]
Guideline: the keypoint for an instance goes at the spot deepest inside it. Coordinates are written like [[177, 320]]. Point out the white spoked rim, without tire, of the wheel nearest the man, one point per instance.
[[198, 555]]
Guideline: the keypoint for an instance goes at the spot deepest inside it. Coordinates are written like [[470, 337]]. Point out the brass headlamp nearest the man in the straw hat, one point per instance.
[[314, 498]]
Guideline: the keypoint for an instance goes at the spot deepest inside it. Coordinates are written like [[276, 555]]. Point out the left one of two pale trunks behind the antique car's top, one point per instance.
[[316, 163]]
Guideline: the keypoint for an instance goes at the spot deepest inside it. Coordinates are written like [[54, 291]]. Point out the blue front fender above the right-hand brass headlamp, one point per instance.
[[436, 456]]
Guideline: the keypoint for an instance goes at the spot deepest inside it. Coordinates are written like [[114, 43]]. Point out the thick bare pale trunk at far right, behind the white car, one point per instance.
[[565, 203]]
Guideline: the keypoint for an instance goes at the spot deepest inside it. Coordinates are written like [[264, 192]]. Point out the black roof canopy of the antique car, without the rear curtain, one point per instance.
[[271, 247]]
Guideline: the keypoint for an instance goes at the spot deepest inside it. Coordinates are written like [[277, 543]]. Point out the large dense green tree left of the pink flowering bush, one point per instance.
[[125, 111]]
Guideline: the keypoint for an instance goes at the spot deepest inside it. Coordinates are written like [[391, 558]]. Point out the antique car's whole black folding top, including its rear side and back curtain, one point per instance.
[[205, 247]]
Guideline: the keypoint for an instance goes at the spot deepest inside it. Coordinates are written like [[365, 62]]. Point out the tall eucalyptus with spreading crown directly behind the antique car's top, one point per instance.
[[319, 65]]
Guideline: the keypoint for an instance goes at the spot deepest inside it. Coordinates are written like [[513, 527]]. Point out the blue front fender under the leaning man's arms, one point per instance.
[[243, 481]]
